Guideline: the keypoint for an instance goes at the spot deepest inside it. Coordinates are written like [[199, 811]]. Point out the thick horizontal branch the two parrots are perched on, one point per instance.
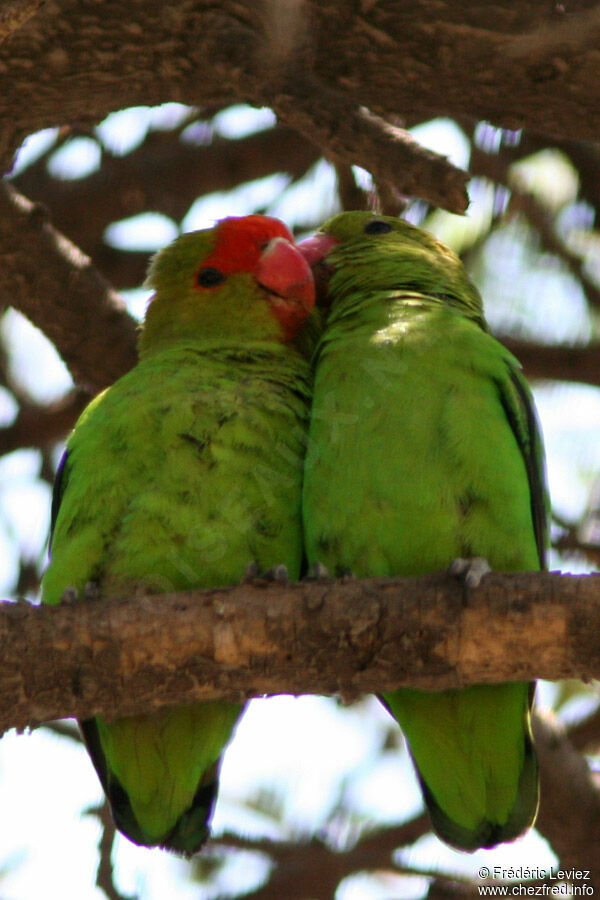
[[128, 656]]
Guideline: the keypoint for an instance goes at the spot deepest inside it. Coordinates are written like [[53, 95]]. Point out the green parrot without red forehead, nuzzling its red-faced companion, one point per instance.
[[424, 449]]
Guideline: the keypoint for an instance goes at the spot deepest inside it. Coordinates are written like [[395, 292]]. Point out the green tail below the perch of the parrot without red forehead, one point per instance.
[[473, 752]]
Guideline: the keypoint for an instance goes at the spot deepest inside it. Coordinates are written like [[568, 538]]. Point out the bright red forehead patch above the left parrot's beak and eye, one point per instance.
[[241, 241]]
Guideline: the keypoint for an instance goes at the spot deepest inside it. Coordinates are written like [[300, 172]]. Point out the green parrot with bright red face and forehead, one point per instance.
[[187, 473]]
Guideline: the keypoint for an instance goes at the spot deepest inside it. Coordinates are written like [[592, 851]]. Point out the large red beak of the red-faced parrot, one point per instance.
[[287, 276]]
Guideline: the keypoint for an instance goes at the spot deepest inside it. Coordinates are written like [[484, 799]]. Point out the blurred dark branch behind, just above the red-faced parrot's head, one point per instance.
[[164, 174]]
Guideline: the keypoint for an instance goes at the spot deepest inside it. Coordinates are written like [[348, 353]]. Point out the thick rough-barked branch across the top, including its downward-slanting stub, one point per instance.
[[344, 74]]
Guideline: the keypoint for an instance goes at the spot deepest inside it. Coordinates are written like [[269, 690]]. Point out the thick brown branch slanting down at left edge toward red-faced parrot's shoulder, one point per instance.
[[49, 280]]
